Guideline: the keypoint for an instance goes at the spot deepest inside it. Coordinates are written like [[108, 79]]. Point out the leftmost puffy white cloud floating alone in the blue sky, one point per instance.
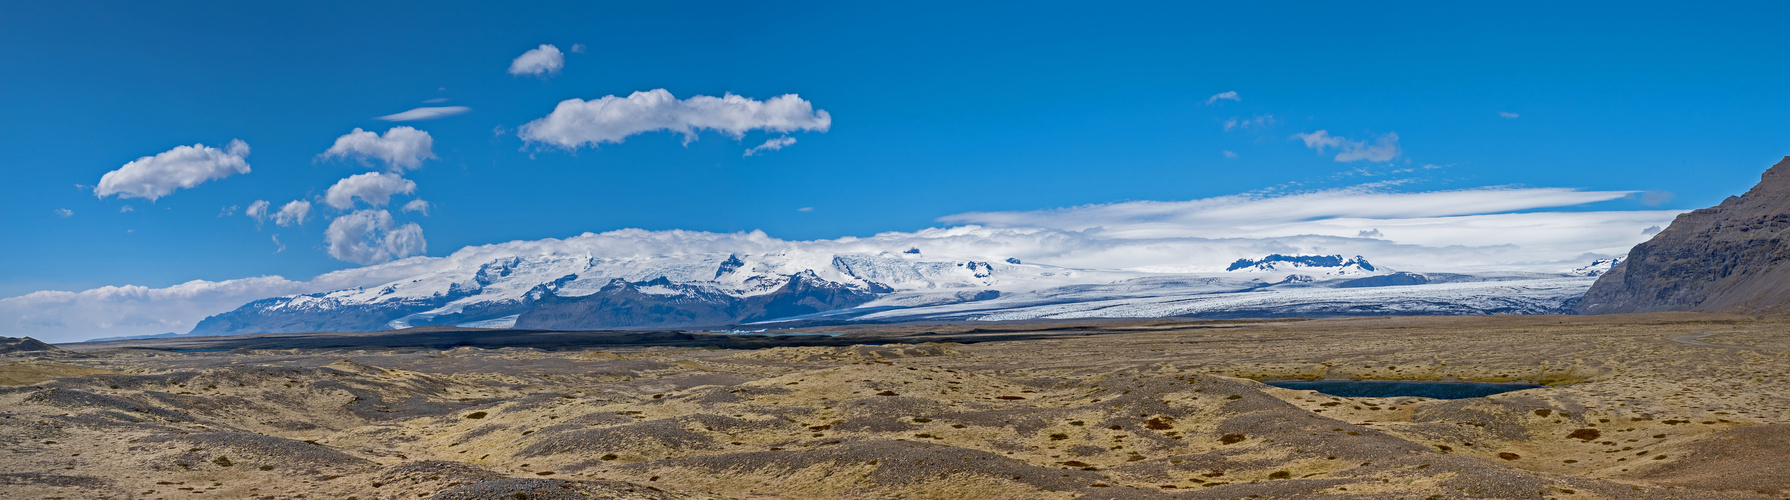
[[180, 168]]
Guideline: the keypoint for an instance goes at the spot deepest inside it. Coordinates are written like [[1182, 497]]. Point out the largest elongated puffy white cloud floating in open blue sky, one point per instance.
[[577, 123]]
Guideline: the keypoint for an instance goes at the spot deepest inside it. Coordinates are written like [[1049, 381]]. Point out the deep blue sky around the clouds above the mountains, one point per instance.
[[935, 110]]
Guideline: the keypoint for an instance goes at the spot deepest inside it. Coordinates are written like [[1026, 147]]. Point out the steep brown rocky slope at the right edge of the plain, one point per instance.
[[1728, 259]]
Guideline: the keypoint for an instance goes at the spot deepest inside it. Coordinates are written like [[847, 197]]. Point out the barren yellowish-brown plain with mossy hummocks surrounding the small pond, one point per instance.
[[1648, 406]]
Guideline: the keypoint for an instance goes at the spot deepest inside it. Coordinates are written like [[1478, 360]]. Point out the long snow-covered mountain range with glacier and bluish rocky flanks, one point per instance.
[[567, 289]]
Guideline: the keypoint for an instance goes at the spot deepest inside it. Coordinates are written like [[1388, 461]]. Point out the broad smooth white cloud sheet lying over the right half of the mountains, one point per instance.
[[1447, 232]]
